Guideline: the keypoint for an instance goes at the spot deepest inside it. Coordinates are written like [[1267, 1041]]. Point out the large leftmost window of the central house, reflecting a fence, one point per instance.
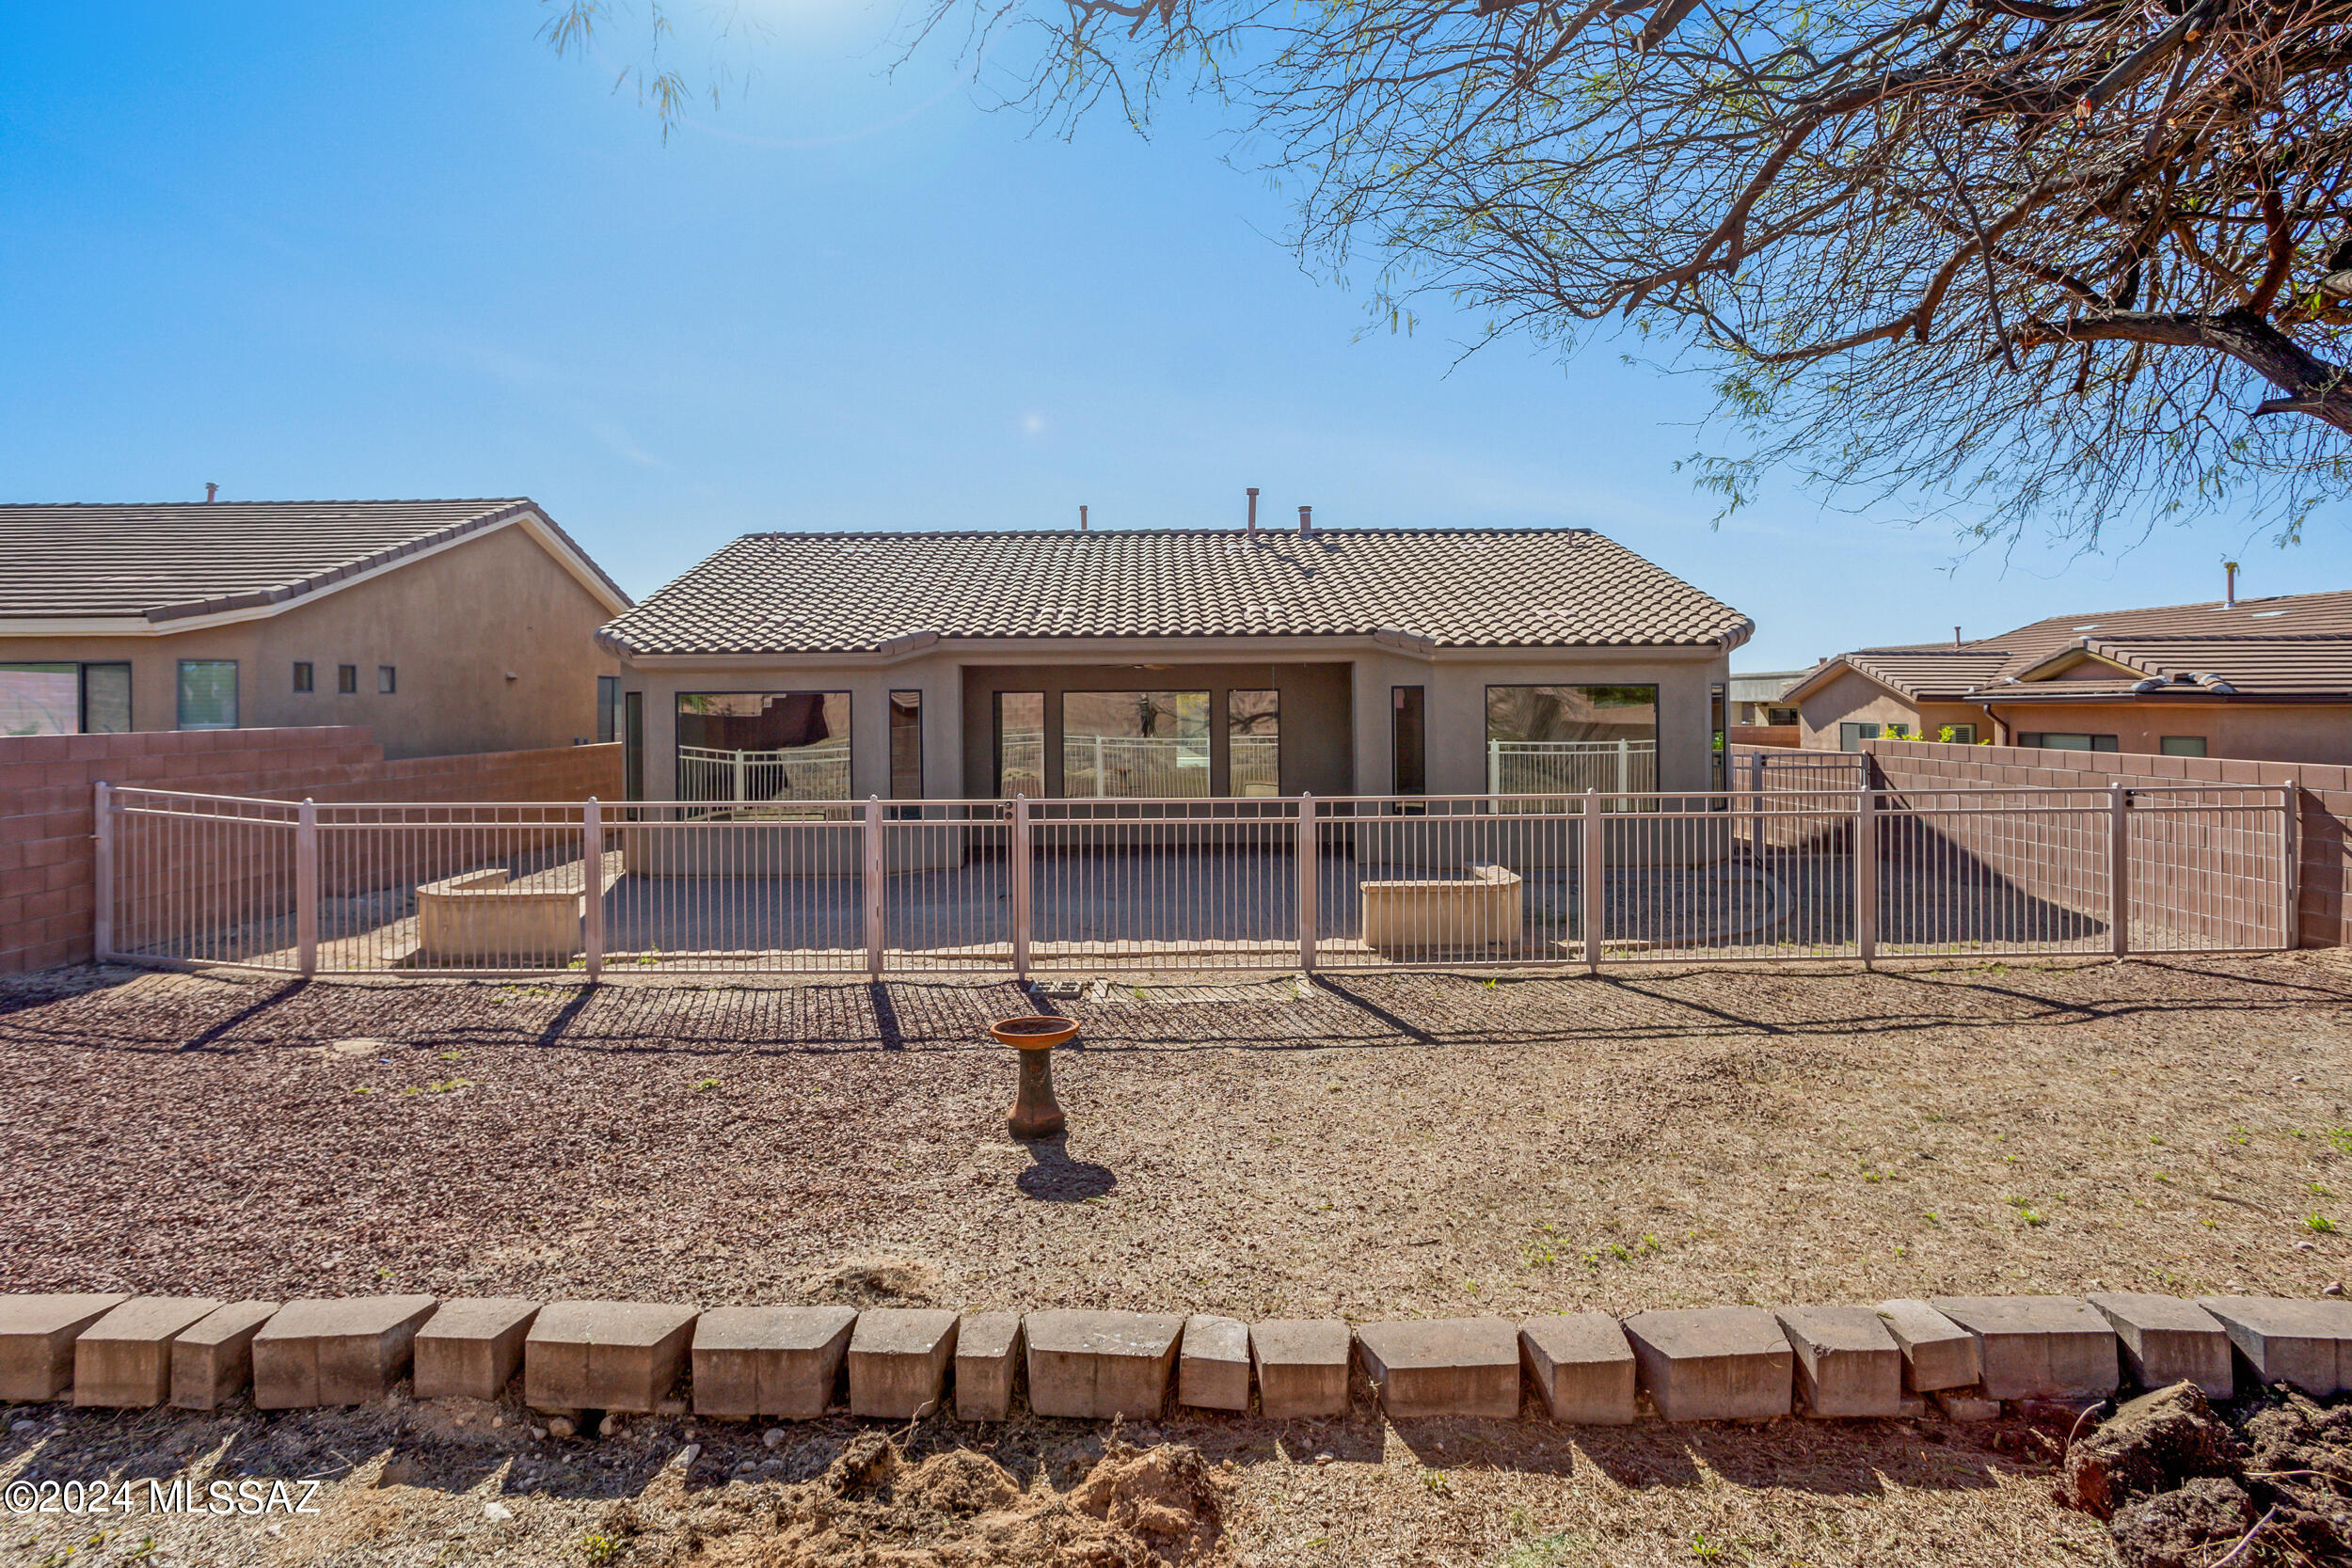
[[761, 746]]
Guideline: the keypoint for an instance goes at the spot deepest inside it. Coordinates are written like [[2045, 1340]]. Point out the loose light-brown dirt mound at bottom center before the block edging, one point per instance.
[[1140, 1508]]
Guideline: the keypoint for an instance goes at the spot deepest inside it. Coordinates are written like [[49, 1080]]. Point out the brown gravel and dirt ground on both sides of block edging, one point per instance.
[[1372, 1146]]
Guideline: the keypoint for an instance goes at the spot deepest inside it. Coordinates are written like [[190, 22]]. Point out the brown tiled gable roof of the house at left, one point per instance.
[[159, 568]]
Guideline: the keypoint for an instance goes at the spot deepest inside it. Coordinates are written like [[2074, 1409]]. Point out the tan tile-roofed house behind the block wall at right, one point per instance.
[[2243, 678]]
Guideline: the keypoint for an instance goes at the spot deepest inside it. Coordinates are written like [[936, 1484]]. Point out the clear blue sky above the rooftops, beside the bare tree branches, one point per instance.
[[326, 250]]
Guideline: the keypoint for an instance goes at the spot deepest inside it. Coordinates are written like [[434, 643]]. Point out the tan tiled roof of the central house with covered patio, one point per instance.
[[1417, 589]]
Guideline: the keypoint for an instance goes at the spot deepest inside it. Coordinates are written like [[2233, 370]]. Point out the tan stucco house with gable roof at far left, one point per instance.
[[446, 626]]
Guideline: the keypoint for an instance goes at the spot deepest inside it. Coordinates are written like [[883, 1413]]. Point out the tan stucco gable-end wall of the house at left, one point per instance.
[[450, 624]]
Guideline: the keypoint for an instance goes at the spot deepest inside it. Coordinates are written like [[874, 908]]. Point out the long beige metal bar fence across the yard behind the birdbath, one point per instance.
[[1191, 885]]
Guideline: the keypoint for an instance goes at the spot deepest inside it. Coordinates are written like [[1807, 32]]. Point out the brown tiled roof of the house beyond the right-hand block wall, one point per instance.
[[2283, 648]]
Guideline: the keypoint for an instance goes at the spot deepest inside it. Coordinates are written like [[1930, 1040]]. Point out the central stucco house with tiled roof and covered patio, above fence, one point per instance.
[[1172, 664]]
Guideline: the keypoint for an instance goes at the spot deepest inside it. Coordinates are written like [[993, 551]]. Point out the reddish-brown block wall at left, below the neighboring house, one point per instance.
[[46, 808]]
